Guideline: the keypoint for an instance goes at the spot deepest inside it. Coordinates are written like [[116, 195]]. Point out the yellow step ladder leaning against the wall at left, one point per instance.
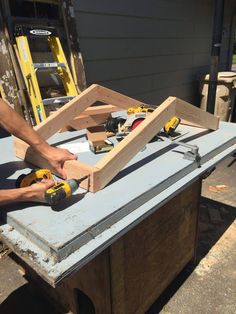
[[29, 68]]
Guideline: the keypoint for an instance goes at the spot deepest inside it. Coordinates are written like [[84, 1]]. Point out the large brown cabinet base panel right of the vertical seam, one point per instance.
[[146, 259]]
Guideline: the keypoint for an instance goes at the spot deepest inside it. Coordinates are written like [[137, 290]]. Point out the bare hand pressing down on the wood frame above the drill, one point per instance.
[[57, 157]]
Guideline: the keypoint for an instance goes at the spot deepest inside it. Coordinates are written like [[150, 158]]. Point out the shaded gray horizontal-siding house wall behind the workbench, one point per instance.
[[149, 49]]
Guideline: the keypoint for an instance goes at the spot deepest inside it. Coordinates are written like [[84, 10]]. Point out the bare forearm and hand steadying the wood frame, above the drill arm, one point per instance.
[[16, 125]]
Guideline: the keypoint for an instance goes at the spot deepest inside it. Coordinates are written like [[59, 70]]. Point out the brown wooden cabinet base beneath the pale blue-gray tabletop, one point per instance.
[[129, 276]]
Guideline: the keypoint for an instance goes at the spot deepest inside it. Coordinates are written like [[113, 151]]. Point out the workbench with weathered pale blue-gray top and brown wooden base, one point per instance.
[[116, 250]]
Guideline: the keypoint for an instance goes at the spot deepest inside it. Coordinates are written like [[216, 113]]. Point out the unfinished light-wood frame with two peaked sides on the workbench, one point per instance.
[[107, 168]]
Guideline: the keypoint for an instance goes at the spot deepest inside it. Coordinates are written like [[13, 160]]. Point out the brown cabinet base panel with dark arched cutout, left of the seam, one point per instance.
[[93, 280]]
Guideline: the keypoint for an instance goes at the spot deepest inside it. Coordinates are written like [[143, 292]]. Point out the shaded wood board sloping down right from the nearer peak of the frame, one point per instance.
[[196, 115]]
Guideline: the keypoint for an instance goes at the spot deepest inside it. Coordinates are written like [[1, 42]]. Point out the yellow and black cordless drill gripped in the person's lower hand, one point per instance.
[[61, 190]]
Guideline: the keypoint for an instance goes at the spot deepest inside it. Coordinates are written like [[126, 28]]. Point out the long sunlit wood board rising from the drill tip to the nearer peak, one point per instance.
[[116, 159]]
